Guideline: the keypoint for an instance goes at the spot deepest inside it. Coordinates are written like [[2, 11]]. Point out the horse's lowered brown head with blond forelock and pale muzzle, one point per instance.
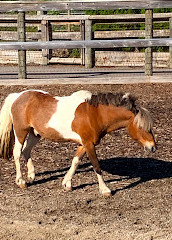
[[140, 129]]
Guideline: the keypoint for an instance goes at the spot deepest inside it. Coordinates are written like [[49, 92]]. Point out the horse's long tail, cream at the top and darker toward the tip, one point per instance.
[[6, 127]]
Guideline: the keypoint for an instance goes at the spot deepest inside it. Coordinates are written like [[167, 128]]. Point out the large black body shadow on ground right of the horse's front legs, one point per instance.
[[141, 169]]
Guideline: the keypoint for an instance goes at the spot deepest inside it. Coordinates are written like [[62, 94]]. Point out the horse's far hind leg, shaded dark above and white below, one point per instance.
[[29, 144]]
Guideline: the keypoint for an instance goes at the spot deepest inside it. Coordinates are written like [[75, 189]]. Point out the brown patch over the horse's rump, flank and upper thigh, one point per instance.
[[29, 109]]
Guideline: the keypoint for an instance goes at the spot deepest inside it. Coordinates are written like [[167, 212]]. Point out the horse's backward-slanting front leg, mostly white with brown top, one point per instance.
[[67, 181]]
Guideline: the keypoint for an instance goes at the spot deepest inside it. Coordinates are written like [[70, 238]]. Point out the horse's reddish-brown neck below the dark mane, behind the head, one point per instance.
[[115, 117]]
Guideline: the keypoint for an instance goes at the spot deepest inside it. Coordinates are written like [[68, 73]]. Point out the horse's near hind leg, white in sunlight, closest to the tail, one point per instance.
[[16, 154]]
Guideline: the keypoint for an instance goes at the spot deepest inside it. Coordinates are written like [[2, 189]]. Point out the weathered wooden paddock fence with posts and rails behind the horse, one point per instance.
[[88, 42]]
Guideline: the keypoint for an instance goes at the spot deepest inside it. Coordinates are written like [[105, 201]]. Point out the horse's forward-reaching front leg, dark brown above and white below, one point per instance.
[[103, 189]]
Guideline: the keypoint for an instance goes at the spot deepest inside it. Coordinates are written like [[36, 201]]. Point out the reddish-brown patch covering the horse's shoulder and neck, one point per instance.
[[93, 122]]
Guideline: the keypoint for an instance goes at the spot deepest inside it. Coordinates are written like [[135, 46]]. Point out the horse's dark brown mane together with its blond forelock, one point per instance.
[[142, 115]]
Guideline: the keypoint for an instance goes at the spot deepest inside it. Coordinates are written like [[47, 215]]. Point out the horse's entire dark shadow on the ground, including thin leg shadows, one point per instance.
[[142, 169]]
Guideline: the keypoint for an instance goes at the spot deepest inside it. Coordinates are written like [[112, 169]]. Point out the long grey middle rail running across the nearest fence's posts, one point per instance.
[[86, 44]]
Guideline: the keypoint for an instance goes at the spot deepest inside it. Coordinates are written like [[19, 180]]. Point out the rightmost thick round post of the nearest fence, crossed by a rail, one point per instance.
[[148, 35]]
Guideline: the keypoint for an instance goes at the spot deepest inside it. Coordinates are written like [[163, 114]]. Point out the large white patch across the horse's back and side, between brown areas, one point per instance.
[[64, 115]]
